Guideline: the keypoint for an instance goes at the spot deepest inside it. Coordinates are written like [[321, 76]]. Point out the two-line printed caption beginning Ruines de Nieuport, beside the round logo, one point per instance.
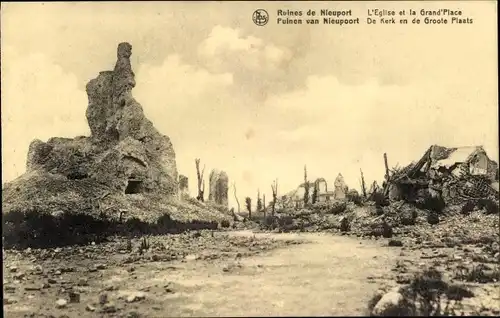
[[324, 16]]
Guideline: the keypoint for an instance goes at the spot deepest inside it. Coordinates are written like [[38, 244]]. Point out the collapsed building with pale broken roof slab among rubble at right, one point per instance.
[[454, 174]]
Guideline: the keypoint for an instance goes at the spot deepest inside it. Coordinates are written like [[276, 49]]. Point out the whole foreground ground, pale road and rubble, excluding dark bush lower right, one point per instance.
[[227, 274]]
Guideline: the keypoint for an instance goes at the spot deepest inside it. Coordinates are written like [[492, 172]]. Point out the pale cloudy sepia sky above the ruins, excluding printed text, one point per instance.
[[257, 102]]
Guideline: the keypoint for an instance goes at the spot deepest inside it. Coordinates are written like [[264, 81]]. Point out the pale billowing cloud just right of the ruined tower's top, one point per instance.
[[175, 91]]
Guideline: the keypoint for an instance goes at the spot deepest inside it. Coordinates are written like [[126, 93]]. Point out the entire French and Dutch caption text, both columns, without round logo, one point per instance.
[[374, 16]]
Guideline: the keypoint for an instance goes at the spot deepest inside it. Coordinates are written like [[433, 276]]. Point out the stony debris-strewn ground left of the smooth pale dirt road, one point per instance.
[[75, 283]]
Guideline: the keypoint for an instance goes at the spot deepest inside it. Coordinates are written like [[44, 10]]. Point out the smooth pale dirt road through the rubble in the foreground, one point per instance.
[[327, 276]]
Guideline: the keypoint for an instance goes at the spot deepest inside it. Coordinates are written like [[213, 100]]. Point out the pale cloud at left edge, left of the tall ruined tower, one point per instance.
[[39, 100]]
